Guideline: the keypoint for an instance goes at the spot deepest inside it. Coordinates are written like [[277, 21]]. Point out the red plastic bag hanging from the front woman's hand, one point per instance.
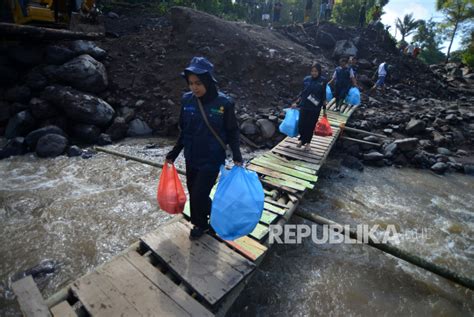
[[171, 196]]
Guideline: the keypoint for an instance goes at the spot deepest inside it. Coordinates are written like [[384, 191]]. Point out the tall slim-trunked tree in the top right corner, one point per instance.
[[457, 12]]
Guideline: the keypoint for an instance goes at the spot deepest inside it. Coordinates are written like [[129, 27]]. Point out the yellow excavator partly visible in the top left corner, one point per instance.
[[73, 15]]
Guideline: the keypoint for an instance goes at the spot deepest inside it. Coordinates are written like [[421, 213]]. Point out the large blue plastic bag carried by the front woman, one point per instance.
[[238, 203]]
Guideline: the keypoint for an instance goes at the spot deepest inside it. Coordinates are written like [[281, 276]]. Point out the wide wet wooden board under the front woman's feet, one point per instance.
[[200, 267]]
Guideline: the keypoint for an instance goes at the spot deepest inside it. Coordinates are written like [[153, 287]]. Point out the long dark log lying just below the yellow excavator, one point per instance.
[[36, 32]]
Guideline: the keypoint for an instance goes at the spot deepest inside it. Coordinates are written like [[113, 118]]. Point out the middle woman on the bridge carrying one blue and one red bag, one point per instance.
[[310, 102]]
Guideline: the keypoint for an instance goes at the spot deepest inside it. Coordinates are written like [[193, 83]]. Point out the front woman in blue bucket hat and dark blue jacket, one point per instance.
[[203, 152]]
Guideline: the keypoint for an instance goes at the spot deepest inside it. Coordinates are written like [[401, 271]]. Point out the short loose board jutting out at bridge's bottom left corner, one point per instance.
[[29, 298]]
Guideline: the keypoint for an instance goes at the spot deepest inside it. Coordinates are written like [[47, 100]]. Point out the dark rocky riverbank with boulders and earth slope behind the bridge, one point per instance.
[[128, 84]]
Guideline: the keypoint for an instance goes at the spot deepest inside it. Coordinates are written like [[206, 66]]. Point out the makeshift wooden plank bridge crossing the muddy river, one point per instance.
[[166, 274]]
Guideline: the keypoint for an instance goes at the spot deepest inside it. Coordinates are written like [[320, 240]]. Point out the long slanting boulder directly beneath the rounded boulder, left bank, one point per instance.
[[80, 107]]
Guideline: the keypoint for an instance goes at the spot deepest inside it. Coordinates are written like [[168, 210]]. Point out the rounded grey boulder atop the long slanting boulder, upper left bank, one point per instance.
[[83, 72]]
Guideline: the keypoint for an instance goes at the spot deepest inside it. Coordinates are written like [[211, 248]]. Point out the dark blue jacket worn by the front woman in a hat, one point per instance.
[[202, 150]]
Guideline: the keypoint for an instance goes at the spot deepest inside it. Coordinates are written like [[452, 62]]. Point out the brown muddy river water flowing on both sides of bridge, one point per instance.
[[79, 213]]
